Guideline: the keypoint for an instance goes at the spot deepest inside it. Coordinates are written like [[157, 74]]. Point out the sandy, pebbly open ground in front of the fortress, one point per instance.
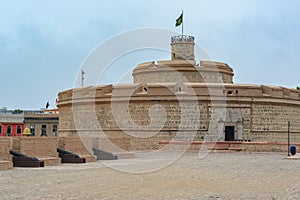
[[218, 176]]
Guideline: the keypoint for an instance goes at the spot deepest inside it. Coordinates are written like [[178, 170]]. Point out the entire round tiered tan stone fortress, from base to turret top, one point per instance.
[[174, 99]]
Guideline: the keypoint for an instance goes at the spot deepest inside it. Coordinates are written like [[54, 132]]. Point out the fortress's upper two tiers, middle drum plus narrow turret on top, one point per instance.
[[182, 67]]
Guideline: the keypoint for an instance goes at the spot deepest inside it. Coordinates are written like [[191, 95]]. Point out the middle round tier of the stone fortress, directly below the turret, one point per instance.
[[183, 71]]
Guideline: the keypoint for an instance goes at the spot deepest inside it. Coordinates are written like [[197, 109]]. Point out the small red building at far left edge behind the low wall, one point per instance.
[[11, 124]]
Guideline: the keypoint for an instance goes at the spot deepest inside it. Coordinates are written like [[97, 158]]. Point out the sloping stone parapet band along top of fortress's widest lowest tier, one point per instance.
[[171, 91]]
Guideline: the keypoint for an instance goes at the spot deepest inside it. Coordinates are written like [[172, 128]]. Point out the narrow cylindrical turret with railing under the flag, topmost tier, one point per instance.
[[182, 47]]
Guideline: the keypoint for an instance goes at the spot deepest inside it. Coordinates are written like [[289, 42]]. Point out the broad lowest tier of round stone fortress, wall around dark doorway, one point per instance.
[[265, 111]]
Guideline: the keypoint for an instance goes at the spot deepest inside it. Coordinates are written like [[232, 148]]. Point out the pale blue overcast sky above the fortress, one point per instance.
[[43, 43]]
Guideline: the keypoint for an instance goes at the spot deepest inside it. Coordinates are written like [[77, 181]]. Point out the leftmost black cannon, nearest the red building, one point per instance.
[[22, 160]]
